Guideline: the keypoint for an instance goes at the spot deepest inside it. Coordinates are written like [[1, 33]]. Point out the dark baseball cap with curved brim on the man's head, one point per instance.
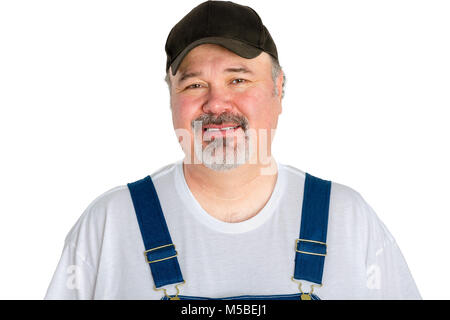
[[236, 27]]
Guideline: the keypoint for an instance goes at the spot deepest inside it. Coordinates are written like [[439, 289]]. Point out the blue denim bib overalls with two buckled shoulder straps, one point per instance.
[[310, 247]]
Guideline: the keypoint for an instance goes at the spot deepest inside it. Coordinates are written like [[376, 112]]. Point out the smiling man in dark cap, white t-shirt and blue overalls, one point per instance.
[[228, 221]]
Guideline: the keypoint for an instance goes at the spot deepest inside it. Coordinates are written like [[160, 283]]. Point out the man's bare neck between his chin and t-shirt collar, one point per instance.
[[233, 195]]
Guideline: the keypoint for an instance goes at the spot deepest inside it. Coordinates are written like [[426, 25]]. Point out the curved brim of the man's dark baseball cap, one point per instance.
[[240, 48]]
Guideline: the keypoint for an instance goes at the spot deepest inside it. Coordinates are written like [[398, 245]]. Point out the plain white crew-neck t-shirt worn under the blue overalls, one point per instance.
[[103, 253]]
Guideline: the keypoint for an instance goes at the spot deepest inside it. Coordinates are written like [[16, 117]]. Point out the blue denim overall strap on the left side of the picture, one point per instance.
[[160, 252]]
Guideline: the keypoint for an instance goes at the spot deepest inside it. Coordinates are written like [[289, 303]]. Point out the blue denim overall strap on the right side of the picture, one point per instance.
[[311, 247]]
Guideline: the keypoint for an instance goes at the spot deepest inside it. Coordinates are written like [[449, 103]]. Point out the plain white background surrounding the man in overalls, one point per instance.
[[84, 108]]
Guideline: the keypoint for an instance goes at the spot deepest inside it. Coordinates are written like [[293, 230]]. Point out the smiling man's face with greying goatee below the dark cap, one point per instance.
[[216, 90]]
